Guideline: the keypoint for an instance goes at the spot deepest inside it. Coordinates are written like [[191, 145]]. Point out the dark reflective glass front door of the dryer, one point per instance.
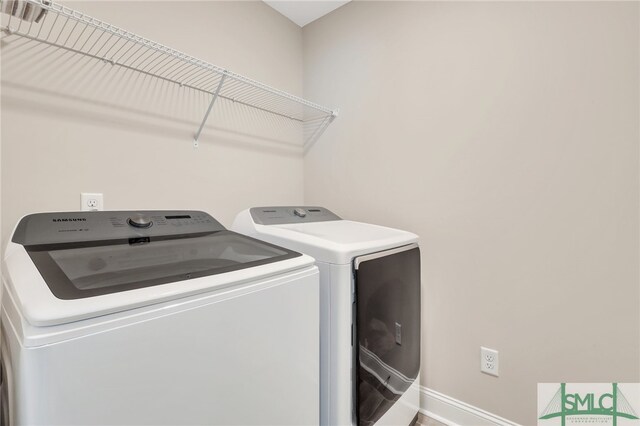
[[387, 329]]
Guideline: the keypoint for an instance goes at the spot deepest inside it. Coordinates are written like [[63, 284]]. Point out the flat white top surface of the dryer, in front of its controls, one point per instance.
[[336, 241]]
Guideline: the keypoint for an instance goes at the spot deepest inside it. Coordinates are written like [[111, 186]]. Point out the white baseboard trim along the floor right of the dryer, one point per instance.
[[452, 412]]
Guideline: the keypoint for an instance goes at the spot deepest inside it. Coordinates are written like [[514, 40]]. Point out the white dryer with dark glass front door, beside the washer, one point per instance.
[[369, 307]]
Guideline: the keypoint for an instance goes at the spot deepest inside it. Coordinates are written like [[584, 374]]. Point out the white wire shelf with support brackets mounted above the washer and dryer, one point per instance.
[[59, 26]]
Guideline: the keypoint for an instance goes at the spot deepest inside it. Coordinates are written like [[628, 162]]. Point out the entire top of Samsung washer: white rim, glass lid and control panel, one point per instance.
[[98, 262]]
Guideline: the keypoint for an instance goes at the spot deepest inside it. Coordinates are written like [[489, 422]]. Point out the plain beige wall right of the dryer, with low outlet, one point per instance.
[[506, 135]]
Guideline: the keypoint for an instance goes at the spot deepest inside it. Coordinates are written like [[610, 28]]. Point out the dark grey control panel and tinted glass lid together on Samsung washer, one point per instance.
[[92, 254]]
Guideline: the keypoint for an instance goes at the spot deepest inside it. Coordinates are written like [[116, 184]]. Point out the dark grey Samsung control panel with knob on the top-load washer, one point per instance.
[[65, 227]]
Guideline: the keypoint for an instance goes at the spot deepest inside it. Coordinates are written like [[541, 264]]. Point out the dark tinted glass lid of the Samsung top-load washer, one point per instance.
[[78, 270]]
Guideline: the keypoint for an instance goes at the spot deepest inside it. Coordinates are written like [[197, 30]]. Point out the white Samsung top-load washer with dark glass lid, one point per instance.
[[156, 317]]
